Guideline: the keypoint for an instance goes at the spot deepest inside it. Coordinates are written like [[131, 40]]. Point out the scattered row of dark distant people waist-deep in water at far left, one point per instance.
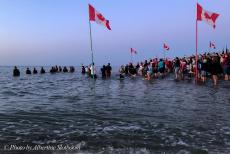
[[54, 69]]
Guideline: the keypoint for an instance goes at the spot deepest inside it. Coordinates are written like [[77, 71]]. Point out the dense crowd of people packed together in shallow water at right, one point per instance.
[[213, 65]]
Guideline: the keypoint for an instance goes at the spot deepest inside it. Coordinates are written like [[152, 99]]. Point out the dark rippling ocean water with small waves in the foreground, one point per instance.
[[111, 116]]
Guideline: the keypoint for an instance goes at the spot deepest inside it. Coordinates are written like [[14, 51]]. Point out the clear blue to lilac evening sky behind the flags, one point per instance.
[[56, 32]]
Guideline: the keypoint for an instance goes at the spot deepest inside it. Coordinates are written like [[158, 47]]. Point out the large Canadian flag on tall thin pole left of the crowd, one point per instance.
[[94, 15]]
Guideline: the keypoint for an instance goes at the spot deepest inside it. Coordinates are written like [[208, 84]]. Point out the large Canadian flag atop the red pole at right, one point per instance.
[[208, 17]]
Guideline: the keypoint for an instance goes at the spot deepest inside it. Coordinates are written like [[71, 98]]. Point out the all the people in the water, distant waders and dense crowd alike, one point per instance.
[[209, 65]]
